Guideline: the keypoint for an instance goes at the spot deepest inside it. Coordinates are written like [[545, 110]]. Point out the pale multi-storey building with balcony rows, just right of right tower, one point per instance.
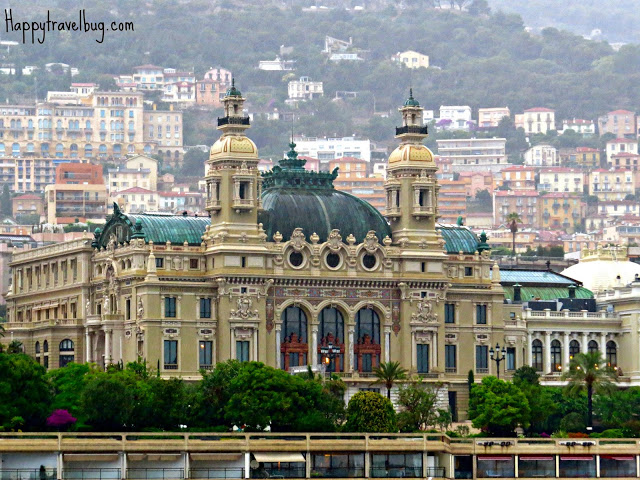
[[474, 154]]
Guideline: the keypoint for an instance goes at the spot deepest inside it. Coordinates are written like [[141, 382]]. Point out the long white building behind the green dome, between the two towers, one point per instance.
[[326, 149]]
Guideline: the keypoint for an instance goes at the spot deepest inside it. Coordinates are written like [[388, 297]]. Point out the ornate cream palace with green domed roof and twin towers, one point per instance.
[[289, 271]]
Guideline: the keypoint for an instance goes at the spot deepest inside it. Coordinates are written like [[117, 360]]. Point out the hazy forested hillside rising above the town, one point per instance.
[[477, 59]]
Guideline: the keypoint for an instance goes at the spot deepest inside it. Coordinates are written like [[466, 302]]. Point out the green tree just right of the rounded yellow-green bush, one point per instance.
[[417, 403]]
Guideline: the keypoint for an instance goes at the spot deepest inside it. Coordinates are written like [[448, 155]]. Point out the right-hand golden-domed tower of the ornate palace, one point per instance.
[[411, 186]]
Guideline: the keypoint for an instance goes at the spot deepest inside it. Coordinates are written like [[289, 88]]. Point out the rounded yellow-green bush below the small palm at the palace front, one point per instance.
[[370, 412]]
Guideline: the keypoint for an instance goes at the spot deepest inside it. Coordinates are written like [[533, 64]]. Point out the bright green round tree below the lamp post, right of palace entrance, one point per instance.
[[498, 407]]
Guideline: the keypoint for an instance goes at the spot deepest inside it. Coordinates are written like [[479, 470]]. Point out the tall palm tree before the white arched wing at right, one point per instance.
[[589, 371]]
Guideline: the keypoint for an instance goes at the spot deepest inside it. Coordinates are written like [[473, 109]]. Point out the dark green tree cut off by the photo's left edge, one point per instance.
[[24, 391]]
